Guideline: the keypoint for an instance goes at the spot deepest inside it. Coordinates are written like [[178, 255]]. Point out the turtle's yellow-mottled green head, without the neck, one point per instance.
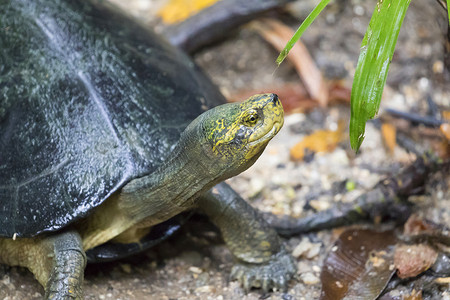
[[236, 134]]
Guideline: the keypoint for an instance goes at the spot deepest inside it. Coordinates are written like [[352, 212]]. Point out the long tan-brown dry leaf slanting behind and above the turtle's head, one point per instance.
[[278, 34]]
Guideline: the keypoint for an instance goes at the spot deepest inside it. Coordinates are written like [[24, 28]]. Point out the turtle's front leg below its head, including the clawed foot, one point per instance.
[[262, 260]]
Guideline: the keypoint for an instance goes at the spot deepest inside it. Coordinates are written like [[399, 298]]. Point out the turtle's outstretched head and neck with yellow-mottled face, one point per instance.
[[205, 155]]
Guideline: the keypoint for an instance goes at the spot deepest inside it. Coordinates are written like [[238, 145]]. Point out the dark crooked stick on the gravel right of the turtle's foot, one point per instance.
[[385, 200]]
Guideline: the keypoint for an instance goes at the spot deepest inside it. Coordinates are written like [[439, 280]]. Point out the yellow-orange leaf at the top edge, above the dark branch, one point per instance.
[[178, 10]]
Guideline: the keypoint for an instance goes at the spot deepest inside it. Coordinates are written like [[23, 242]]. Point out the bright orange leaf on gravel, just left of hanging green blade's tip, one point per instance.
[[319, 141]]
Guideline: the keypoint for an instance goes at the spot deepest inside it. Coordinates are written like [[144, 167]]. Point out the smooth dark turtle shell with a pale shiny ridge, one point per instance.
[[89, 99]]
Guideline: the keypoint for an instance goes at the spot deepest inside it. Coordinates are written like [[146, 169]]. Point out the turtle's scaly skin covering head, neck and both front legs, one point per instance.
[[220, 143]]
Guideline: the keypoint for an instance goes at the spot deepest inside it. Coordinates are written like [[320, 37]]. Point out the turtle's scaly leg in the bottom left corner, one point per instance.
[[57, 262]]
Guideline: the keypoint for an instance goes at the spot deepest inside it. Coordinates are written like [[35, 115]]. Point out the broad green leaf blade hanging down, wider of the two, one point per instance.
[[377, 49]]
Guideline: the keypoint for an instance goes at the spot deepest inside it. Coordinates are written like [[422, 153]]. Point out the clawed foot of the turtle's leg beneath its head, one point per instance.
[[273, 274]]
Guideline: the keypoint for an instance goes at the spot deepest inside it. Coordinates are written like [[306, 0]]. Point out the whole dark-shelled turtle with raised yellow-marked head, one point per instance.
[[110, 137]]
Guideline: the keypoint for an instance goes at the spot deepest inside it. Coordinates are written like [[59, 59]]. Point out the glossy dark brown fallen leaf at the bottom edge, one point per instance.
[[358, 266]]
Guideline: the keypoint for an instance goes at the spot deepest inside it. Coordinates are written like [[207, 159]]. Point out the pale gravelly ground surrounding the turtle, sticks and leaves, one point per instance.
[[195, 264]]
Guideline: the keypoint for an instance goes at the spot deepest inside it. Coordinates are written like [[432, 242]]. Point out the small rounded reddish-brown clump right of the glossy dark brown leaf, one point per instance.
[[412, 260]]
